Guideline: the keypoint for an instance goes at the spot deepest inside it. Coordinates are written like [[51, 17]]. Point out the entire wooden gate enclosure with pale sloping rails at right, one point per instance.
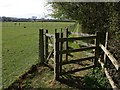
[[58, 50]]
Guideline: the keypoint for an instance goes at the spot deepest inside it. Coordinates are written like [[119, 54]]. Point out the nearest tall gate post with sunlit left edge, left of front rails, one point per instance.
[[56, 57]]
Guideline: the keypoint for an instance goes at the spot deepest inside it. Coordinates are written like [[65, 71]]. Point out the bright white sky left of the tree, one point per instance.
[[24, 8]]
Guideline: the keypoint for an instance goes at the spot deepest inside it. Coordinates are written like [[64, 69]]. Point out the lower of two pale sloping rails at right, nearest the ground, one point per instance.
[[108, 76]]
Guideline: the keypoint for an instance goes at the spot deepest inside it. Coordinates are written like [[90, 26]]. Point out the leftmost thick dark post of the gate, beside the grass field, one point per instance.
[[41, 46]]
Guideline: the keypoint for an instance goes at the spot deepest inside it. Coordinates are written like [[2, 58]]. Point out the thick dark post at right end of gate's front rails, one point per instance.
[[97, 49]]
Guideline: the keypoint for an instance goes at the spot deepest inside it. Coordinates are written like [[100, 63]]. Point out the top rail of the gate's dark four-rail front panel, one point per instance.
[[76, 38]]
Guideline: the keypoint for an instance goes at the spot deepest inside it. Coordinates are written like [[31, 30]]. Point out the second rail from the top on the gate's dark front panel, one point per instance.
[[76, 50]]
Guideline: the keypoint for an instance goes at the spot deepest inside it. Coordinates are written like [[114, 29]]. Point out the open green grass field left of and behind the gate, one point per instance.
[[20, 46]]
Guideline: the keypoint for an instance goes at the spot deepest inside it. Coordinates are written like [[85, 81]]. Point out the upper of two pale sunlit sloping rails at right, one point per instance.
[[110, 56]]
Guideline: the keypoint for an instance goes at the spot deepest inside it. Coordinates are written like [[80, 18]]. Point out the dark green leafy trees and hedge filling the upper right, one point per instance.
[[92, 17]]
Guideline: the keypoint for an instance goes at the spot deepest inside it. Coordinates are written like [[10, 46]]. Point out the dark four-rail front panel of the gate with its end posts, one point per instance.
[[59, 51]]
